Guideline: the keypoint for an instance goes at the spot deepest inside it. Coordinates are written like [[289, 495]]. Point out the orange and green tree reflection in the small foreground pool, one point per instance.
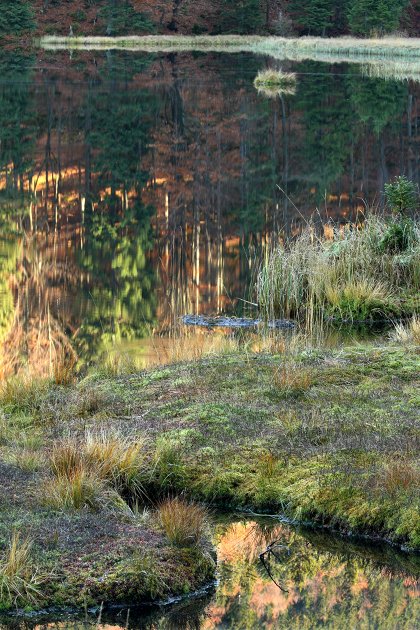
[[328, 583]]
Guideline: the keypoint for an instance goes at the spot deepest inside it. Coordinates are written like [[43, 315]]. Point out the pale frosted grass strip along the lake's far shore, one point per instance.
[[387, 57]]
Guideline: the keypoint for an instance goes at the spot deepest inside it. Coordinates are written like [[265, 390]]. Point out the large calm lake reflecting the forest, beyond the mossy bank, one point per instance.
[[135, 188]]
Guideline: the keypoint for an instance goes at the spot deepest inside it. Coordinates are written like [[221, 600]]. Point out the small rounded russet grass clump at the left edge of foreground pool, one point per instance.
[[184, 523]]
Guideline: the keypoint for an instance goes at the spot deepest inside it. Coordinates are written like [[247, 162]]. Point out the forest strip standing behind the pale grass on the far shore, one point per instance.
[[275, 17]]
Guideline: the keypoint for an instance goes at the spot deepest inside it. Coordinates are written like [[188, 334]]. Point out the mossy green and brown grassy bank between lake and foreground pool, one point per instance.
[[330, 437]]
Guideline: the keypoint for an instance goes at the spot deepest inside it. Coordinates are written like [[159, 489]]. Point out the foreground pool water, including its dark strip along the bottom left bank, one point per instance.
[[322, 582]]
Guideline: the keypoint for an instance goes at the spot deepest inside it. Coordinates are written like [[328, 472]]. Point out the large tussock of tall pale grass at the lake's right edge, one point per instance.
[[354, 273]]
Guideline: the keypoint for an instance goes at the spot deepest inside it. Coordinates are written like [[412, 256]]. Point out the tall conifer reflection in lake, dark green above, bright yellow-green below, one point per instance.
[[120, 301]]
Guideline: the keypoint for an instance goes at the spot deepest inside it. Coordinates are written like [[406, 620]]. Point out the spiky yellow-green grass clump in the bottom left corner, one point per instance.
[[20, 579]]
